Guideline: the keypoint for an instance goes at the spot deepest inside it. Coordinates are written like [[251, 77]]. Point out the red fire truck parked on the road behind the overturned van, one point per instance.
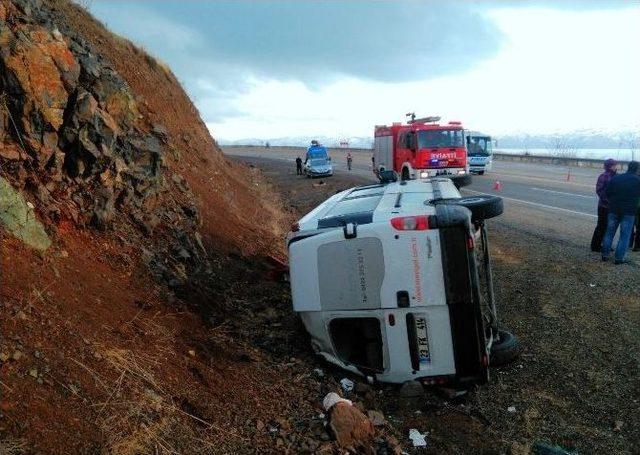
[[421, 148]]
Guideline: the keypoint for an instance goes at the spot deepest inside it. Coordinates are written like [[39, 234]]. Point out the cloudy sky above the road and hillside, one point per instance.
[[268, 69]]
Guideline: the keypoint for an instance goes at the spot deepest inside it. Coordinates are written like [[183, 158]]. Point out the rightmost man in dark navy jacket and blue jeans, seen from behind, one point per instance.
[[623, 193]]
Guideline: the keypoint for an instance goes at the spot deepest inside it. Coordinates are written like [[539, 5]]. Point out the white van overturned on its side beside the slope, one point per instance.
[[393, 282]]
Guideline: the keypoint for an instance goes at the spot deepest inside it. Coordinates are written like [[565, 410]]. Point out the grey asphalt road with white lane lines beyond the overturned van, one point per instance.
[[547, 200]]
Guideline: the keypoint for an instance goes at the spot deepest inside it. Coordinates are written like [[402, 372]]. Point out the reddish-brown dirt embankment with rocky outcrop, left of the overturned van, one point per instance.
[[127, 238]]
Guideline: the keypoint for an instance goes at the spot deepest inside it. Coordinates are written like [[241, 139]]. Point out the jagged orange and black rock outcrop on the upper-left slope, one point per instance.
[[72, 136]]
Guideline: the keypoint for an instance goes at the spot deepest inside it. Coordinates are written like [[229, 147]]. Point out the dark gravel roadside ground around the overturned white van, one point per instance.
[[576, 383]]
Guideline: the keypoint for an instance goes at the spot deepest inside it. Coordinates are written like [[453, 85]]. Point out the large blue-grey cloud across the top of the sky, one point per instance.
[[310, 41]]
